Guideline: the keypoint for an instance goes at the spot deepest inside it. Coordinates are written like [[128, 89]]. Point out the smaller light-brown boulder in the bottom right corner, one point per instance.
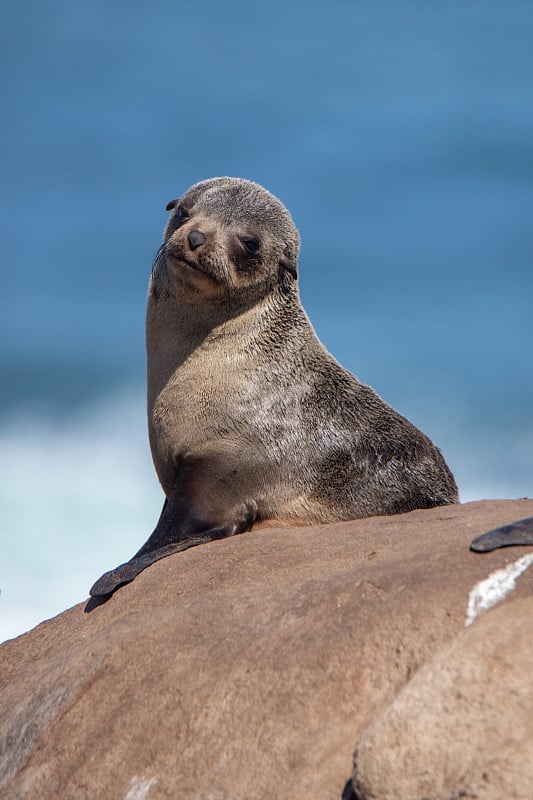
[[463, 727]]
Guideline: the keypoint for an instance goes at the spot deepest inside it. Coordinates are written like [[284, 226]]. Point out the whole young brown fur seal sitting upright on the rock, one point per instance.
[[250, 419]]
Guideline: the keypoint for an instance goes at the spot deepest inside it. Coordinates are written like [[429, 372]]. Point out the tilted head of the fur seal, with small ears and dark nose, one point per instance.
[[230, 239]]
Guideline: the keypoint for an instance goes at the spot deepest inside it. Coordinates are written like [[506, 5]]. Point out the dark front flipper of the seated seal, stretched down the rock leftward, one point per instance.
[[125, 573]]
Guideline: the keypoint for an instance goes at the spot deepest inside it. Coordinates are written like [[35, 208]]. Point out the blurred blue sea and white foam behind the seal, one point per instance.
[[399, 135]]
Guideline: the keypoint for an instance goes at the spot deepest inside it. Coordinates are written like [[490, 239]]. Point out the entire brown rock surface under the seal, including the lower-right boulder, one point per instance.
[[252, 667]]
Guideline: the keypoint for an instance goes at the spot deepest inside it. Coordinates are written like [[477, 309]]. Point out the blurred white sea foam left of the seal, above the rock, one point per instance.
[[76, 499]]
